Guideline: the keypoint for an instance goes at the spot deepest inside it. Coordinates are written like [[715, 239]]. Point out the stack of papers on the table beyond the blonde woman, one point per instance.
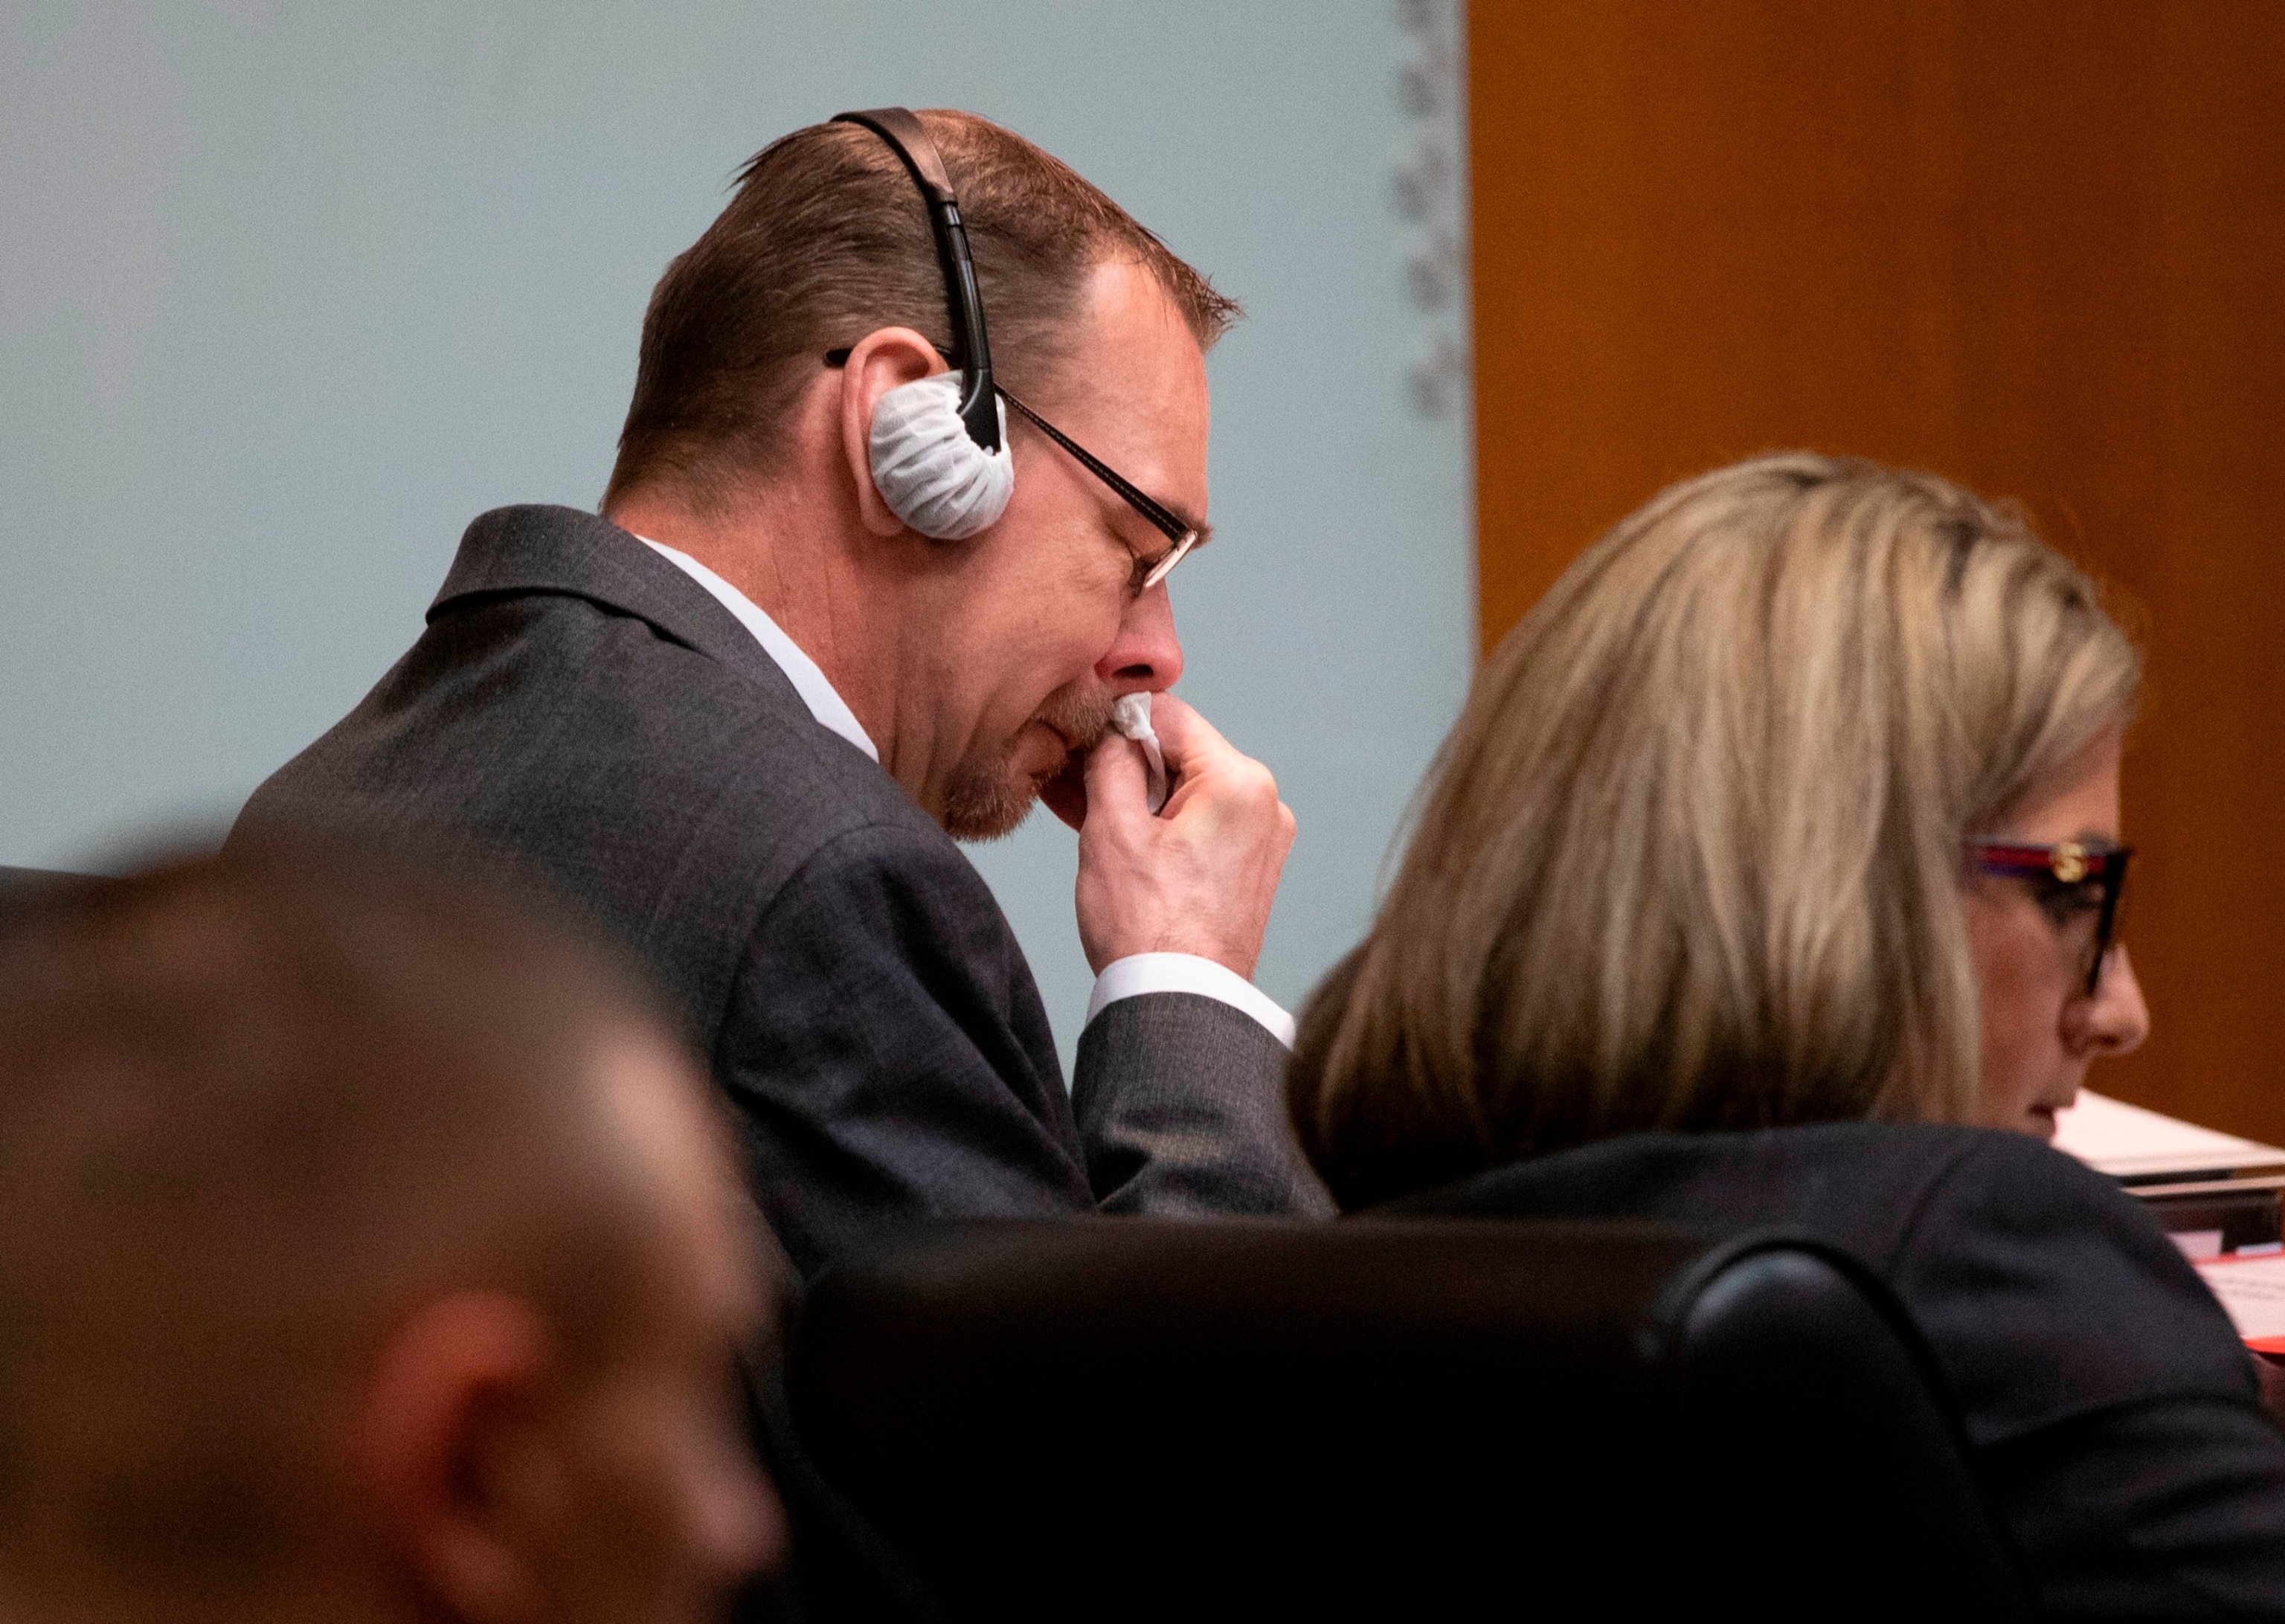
[[2215, 1196]]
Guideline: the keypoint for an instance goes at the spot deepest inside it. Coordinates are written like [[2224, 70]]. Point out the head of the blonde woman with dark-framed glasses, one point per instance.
[[1713, 844]]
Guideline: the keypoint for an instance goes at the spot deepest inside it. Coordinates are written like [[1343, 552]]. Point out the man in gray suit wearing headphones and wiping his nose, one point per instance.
[[746, 711]]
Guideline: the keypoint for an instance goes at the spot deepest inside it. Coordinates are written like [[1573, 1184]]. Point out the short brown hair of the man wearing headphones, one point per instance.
[[828, 241]]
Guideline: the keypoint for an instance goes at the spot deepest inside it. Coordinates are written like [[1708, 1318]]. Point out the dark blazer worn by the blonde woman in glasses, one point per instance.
[[2112, 1410]]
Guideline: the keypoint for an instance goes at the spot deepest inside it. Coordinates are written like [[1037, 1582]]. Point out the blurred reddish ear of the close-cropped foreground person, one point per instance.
[[456, 1454]]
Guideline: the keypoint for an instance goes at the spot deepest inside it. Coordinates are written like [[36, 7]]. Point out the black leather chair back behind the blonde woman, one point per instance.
[[1379, 1420]]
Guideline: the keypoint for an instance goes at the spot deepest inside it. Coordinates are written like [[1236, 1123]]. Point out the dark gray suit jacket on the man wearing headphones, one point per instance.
[[586, 707]]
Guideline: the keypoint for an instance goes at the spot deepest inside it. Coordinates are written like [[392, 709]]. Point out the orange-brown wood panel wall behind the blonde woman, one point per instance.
[[2037, 246]]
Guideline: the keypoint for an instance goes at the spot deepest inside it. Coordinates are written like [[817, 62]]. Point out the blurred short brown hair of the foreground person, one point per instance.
[[250, 1107]]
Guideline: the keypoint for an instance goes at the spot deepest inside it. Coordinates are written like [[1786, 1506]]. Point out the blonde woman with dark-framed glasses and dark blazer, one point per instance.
[[1772, 865]]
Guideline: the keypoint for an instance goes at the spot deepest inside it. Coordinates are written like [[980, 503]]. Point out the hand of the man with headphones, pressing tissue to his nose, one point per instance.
[[1201, 876]]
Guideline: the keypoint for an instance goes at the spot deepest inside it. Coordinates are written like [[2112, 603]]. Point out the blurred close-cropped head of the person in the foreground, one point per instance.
[[367, 1253]]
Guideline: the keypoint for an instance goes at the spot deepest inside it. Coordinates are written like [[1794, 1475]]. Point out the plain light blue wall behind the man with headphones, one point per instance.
[[291, 291]]
